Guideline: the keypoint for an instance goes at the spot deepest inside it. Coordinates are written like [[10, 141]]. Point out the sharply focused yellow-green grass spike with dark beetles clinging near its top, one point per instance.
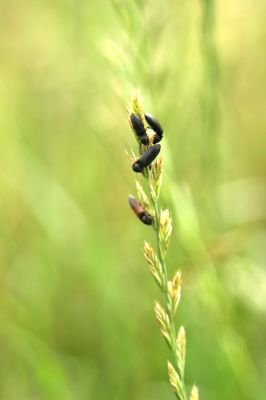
[[149, 165]]
